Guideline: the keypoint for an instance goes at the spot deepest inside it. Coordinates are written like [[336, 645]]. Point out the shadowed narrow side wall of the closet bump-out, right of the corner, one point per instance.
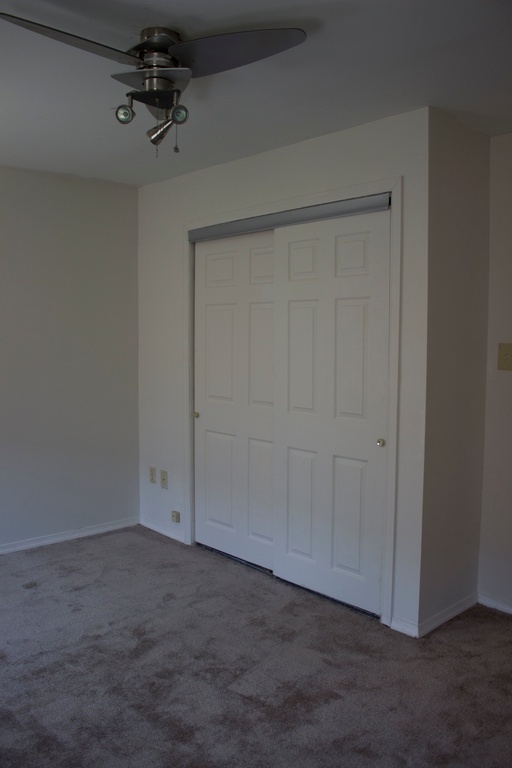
[[457, 344]]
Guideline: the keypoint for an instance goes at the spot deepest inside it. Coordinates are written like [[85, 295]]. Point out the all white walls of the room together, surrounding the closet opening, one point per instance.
[[68, 337]]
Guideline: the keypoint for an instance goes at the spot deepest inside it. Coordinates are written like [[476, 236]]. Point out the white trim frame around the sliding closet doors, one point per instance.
[[394, 187]]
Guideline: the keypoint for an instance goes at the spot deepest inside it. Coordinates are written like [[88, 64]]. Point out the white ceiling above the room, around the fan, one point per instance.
[[362, 60]]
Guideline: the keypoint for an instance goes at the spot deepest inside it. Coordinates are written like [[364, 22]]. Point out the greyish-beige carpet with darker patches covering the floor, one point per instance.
[[128, 650]]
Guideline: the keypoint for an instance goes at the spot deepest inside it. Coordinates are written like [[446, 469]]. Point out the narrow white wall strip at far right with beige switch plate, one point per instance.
[[495, 576]]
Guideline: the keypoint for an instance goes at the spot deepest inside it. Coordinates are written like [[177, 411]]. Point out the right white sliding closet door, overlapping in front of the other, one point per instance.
[[331, 405]]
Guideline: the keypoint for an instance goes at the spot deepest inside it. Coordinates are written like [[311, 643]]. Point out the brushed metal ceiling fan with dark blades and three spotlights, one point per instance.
[[164, 64]]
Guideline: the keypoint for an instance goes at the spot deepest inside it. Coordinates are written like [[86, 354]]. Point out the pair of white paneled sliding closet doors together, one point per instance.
[[291, 386]]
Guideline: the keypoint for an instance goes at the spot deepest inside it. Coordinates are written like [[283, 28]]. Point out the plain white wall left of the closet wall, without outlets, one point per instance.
[[68, 351]]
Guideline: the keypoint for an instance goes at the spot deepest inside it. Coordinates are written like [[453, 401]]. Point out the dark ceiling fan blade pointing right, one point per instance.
[[218, 53]]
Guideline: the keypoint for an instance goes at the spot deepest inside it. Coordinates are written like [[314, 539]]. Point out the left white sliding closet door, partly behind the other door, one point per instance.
[[234, 396]]
